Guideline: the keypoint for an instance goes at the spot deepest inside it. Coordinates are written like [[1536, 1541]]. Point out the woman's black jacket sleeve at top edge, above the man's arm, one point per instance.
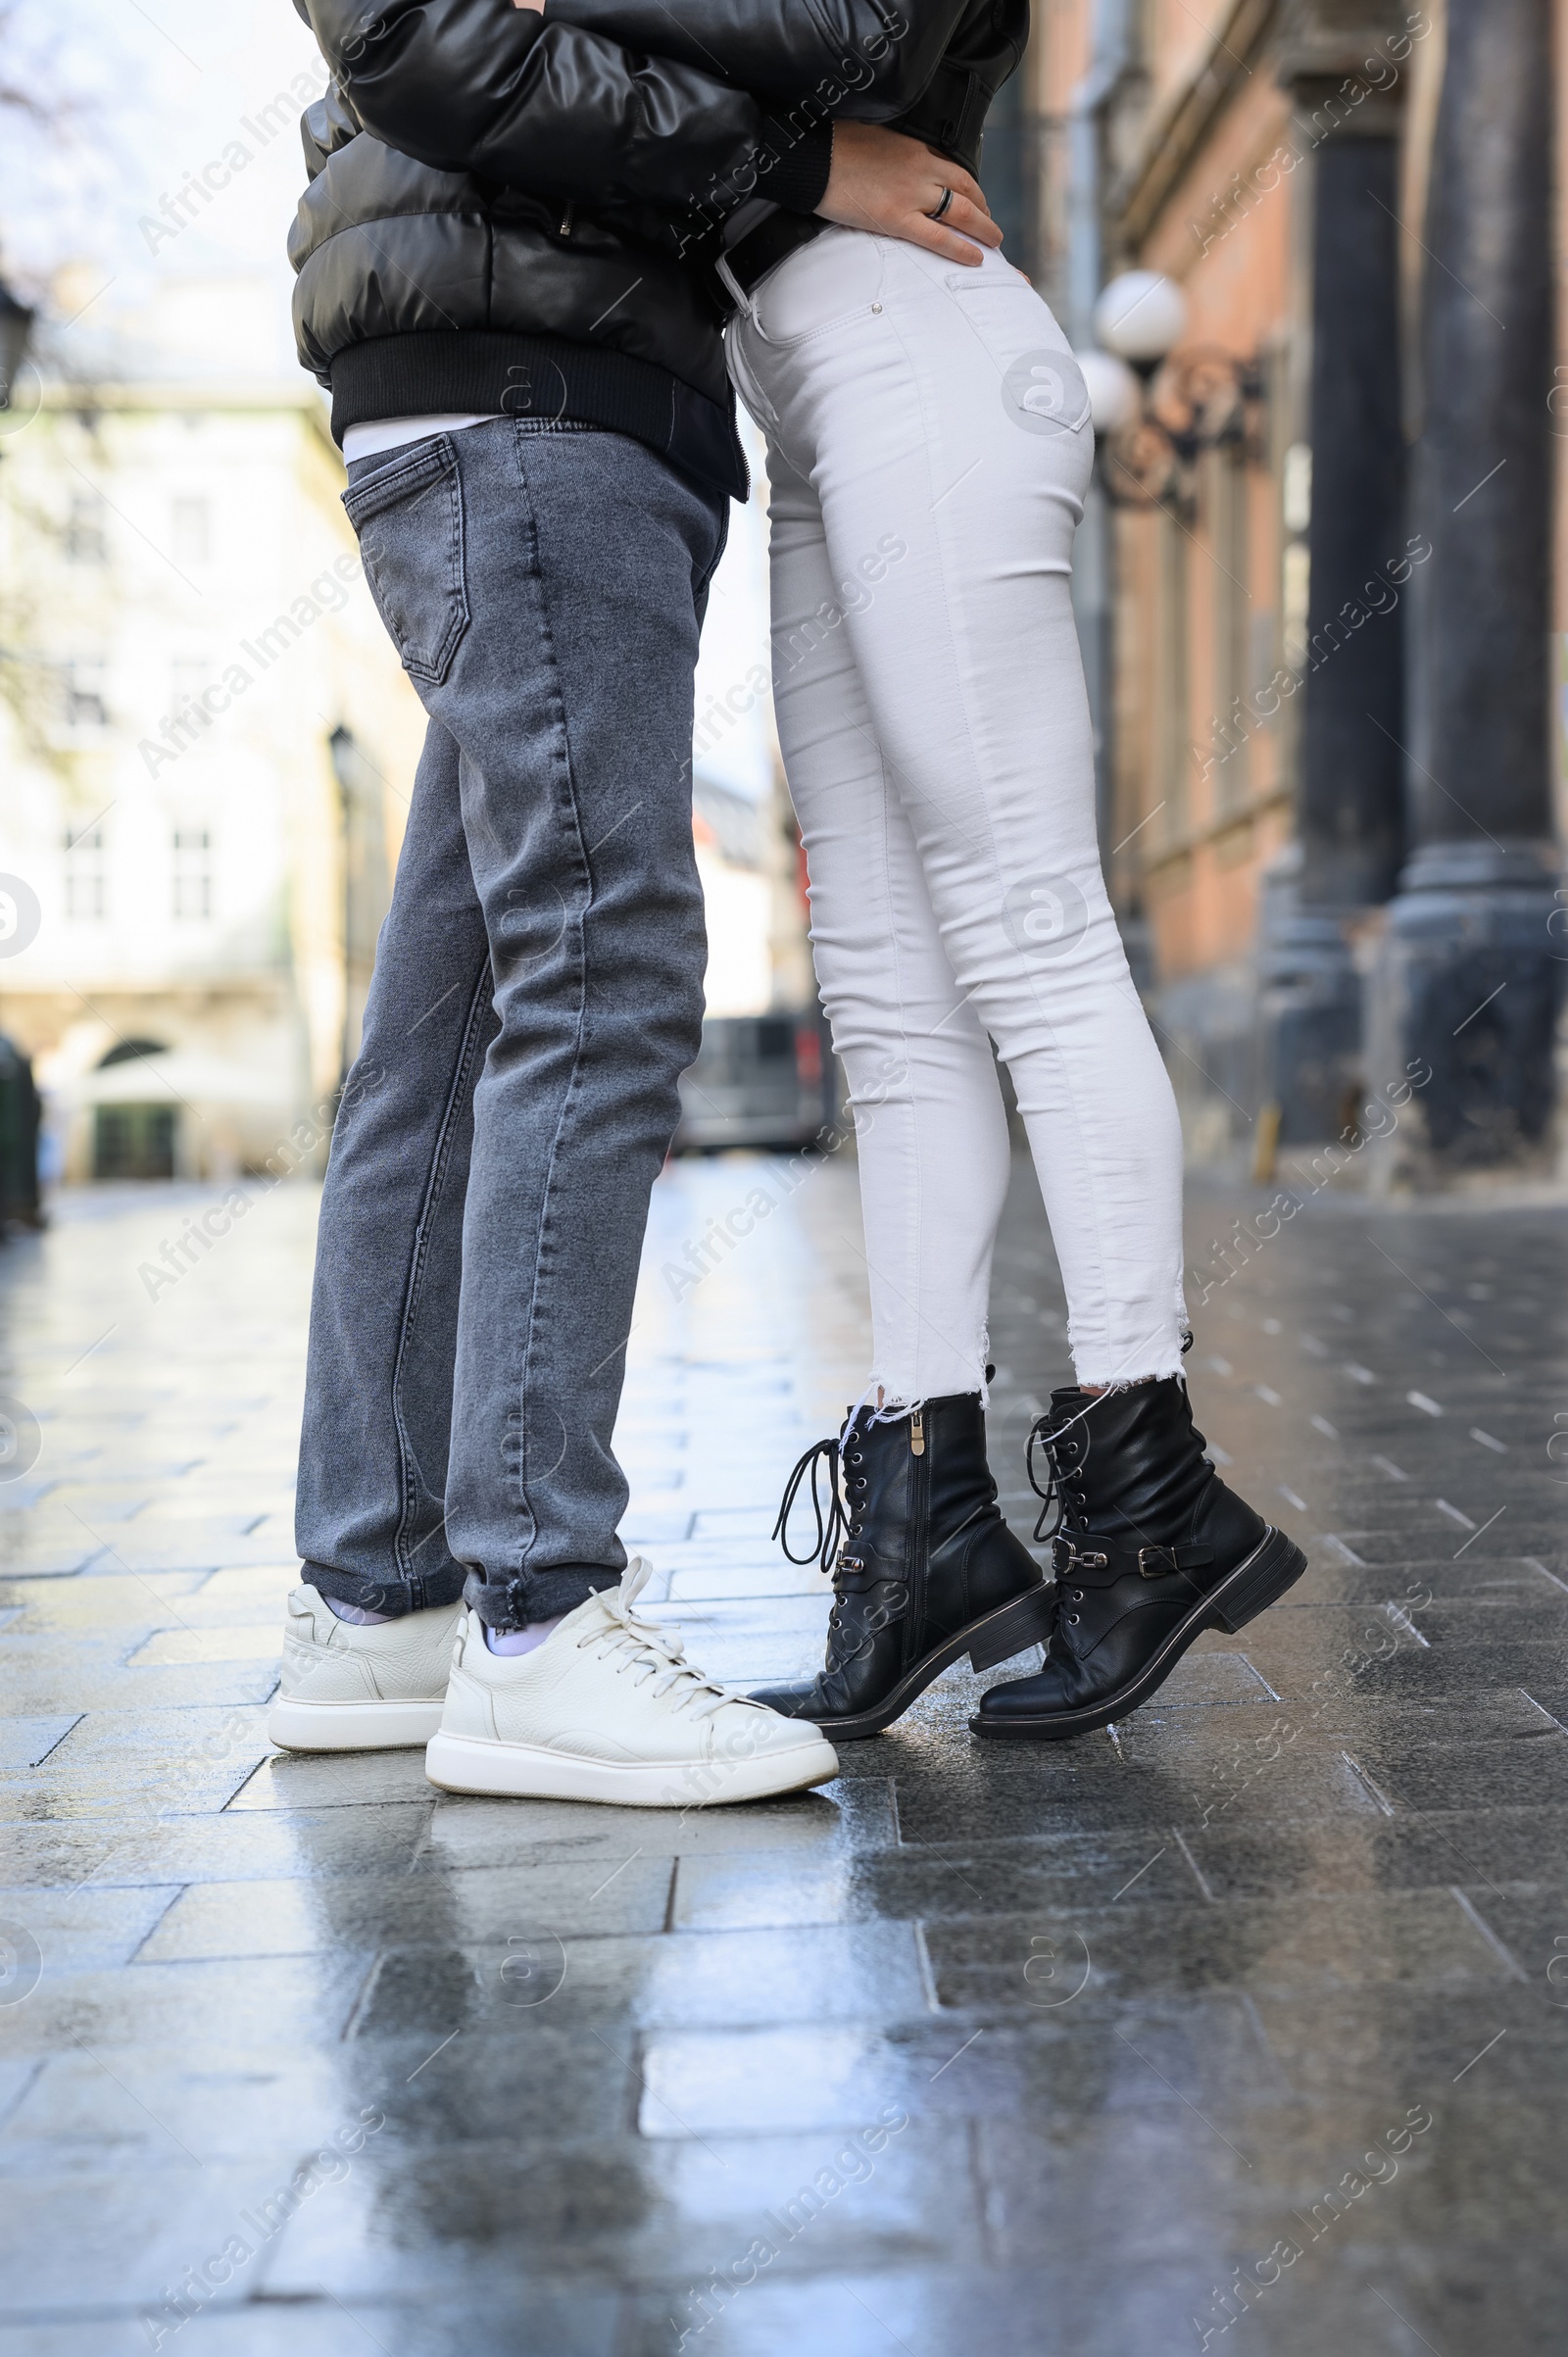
[[878, 55]]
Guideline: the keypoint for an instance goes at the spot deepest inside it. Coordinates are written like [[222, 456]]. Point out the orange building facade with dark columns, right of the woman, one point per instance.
[[1324, 572]]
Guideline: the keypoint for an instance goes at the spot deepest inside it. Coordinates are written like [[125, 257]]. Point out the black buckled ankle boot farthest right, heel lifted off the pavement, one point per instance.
[[1149, 1547]]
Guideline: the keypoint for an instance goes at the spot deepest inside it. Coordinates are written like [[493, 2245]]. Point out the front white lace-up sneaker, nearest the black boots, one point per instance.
[[610, 1710]]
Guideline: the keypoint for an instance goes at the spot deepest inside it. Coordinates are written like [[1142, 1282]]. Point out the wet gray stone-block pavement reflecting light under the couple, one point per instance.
[[1237, 2026]]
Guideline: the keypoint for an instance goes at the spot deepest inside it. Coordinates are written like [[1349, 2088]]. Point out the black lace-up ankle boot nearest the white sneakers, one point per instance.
[[928, 1566]]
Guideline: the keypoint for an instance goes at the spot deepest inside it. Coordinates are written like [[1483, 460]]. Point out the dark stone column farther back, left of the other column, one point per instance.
[[1350, 784]]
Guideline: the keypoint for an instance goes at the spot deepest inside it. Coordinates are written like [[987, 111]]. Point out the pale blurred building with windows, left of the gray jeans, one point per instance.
[[206, 748]]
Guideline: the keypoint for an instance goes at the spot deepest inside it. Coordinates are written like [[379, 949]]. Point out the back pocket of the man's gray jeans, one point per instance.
[[409, 524]]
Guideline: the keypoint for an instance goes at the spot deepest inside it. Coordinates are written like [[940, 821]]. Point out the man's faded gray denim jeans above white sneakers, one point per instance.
[[539, 991]]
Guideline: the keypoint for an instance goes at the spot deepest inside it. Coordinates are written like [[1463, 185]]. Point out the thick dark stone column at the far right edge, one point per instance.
[[1468, 979]]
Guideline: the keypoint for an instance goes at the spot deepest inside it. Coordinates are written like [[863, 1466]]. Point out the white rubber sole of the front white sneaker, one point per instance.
[[532, 1774]]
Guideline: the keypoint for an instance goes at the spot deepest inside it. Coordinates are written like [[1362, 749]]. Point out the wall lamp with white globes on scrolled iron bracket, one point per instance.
[[1157, 409]]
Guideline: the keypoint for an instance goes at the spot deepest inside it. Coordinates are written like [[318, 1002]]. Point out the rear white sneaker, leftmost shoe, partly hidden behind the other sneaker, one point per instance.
[[360, 1689]]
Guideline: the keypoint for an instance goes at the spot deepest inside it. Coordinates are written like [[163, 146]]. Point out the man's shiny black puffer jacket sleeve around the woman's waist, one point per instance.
[[482, 86]]
